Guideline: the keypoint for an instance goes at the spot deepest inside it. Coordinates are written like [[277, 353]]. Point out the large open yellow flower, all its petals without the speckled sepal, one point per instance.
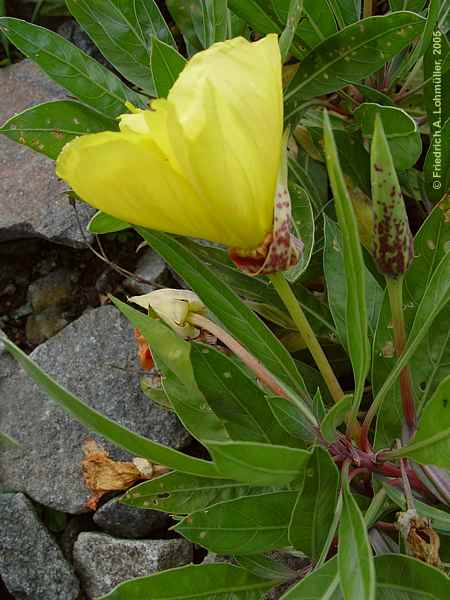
[[202, 163]]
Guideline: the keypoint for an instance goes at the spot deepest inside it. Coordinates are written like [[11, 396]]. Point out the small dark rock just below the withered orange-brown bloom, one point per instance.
[[128, 521]]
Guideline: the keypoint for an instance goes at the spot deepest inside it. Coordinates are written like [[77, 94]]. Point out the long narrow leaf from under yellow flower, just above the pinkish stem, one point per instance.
[[240, 321]]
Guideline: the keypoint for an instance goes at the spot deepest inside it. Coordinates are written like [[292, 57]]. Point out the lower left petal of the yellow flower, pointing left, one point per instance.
[[126, 175]]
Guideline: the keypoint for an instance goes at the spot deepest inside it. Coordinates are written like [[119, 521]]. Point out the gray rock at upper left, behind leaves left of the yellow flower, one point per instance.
[[32, 202]]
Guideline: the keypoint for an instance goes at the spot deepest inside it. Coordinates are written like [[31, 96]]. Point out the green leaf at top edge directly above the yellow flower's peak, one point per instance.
[[202, 22]]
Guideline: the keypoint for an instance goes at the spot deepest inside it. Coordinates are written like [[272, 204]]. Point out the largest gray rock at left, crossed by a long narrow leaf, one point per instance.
[[94, 357]]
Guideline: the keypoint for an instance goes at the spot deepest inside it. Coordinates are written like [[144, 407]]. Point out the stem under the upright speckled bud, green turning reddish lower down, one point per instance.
[[395, 291]]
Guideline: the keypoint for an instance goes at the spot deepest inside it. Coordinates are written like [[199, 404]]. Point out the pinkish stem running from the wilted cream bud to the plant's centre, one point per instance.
[[251, 362]]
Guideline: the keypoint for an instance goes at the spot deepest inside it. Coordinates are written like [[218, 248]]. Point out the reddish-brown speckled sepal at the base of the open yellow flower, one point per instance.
[[280, 250]]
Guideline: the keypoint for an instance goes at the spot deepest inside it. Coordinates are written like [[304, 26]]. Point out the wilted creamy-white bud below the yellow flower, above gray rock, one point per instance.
[[173, 307]]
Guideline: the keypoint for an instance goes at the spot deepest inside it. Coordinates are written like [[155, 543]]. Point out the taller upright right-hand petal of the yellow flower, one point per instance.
[[228, 101]]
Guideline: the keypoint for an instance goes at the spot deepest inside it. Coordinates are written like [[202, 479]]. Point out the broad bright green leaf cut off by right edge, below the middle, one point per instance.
[[431, 443]]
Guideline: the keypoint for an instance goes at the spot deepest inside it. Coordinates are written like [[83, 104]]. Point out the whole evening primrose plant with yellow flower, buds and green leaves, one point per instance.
[[321, 399]]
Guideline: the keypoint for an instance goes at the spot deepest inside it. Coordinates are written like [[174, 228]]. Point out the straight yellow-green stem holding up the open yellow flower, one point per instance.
[[298, 316]]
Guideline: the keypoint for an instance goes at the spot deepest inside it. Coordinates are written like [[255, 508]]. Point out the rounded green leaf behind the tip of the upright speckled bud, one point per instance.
[[400, 129]]
